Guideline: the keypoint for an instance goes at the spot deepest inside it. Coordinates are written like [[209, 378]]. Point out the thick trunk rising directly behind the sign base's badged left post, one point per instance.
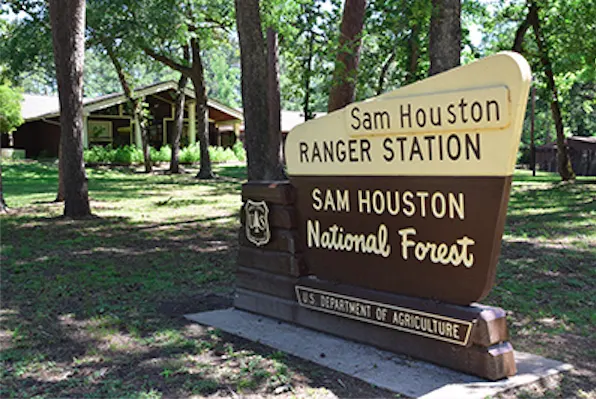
[[259, 143]]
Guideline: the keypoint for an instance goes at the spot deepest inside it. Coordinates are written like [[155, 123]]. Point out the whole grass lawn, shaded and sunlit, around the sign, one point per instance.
[[94, 308]]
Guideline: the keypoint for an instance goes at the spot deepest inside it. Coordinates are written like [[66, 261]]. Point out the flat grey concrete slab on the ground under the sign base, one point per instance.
[[383, 369]]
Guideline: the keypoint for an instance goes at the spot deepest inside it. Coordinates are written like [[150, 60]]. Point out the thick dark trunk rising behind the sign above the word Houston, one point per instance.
[[444, 44]]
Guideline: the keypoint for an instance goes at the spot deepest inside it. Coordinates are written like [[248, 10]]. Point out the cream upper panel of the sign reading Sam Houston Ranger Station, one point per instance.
[[464, 122]]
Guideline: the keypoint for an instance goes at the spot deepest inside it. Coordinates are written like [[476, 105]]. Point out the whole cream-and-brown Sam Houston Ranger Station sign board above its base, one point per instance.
[[407, 192]]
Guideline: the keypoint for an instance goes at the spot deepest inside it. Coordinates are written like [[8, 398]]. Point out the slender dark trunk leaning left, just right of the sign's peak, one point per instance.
[[563, 162]]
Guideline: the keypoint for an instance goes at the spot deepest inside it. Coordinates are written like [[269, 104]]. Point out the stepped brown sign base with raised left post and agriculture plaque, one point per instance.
[[273, 280]]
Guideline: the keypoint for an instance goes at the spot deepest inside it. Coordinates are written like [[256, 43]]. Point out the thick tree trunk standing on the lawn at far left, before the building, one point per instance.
[[67, 18]]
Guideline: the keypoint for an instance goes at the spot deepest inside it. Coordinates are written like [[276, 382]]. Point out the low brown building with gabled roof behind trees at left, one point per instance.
[[108, 121]]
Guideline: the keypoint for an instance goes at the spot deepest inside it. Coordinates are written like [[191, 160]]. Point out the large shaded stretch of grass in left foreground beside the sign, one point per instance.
[[93, 308]]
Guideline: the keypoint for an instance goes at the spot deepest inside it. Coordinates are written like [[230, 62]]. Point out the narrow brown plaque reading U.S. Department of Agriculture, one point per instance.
[[411, 321]]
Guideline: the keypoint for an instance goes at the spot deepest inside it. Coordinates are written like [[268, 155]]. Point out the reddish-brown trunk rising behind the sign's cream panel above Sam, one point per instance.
[[346, 65]]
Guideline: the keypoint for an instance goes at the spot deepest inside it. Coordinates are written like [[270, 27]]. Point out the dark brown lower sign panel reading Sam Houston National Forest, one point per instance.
[[418, 236]]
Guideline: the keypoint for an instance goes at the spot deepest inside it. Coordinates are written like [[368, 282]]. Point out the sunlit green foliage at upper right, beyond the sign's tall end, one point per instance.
[[566, 26]]
